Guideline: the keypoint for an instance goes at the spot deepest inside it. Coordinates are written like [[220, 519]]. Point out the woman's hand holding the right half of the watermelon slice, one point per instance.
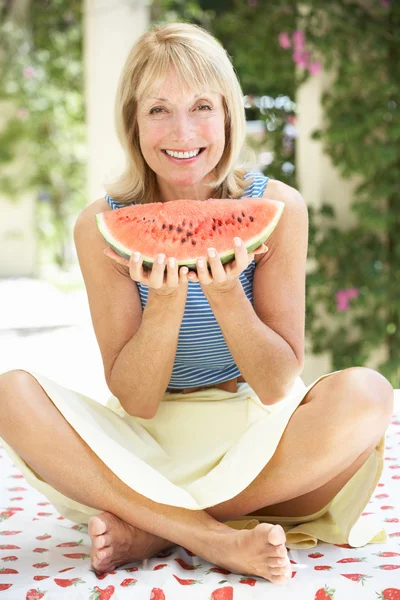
[[223, 277]]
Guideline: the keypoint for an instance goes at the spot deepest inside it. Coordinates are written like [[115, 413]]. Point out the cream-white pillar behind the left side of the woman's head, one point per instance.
[[111, 29]]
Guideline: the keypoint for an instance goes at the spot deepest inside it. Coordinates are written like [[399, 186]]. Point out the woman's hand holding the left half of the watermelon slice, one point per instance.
[[164, 279]]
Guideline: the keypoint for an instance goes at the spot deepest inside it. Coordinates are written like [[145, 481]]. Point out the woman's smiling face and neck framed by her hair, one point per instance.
[[175, 120]]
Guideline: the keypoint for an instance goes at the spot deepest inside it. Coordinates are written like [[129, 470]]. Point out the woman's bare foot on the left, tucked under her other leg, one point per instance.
[[116, 543]]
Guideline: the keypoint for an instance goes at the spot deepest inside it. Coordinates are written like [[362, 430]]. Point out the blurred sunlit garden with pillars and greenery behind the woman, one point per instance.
[[321, 85]]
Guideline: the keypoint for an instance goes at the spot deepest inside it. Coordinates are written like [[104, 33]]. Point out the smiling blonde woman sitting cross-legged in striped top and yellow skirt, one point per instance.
[[210, 440]]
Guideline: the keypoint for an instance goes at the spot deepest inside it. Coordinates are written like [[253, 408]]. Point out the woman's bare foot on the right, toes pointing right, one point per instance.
[[260, 551]]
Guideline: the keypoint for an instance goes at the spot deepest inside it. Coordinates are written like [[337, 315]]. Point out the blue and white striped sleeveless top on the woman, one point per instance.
[[202, 356]]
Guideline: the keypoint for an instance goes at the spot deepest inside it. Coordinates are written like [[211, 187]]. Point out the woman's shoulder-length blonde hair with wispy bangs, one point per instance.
[[200, 60]]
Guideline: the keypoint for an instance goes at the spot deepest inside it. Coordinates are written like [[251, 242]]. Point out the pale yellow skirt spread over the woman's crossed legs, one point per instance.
[[204, 448]]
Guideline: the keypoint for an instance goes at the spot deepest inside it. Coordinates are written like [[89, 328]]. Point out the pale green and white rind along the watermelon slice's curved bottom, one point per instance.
[[225, 257]]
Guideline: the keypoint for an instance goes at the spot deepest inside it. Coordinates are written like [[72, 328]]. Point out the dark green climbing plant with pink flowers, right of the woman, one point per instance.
[[353, 289]]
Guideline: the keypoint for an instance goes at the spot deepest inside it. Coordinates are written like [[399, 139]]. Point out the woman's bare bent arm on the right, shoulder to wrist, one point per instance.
[[267, 341]]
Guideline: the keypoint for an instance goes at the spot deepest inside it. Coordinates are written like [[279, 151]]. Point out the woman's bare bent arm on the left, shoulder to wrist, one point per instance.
[[138, 347]]
